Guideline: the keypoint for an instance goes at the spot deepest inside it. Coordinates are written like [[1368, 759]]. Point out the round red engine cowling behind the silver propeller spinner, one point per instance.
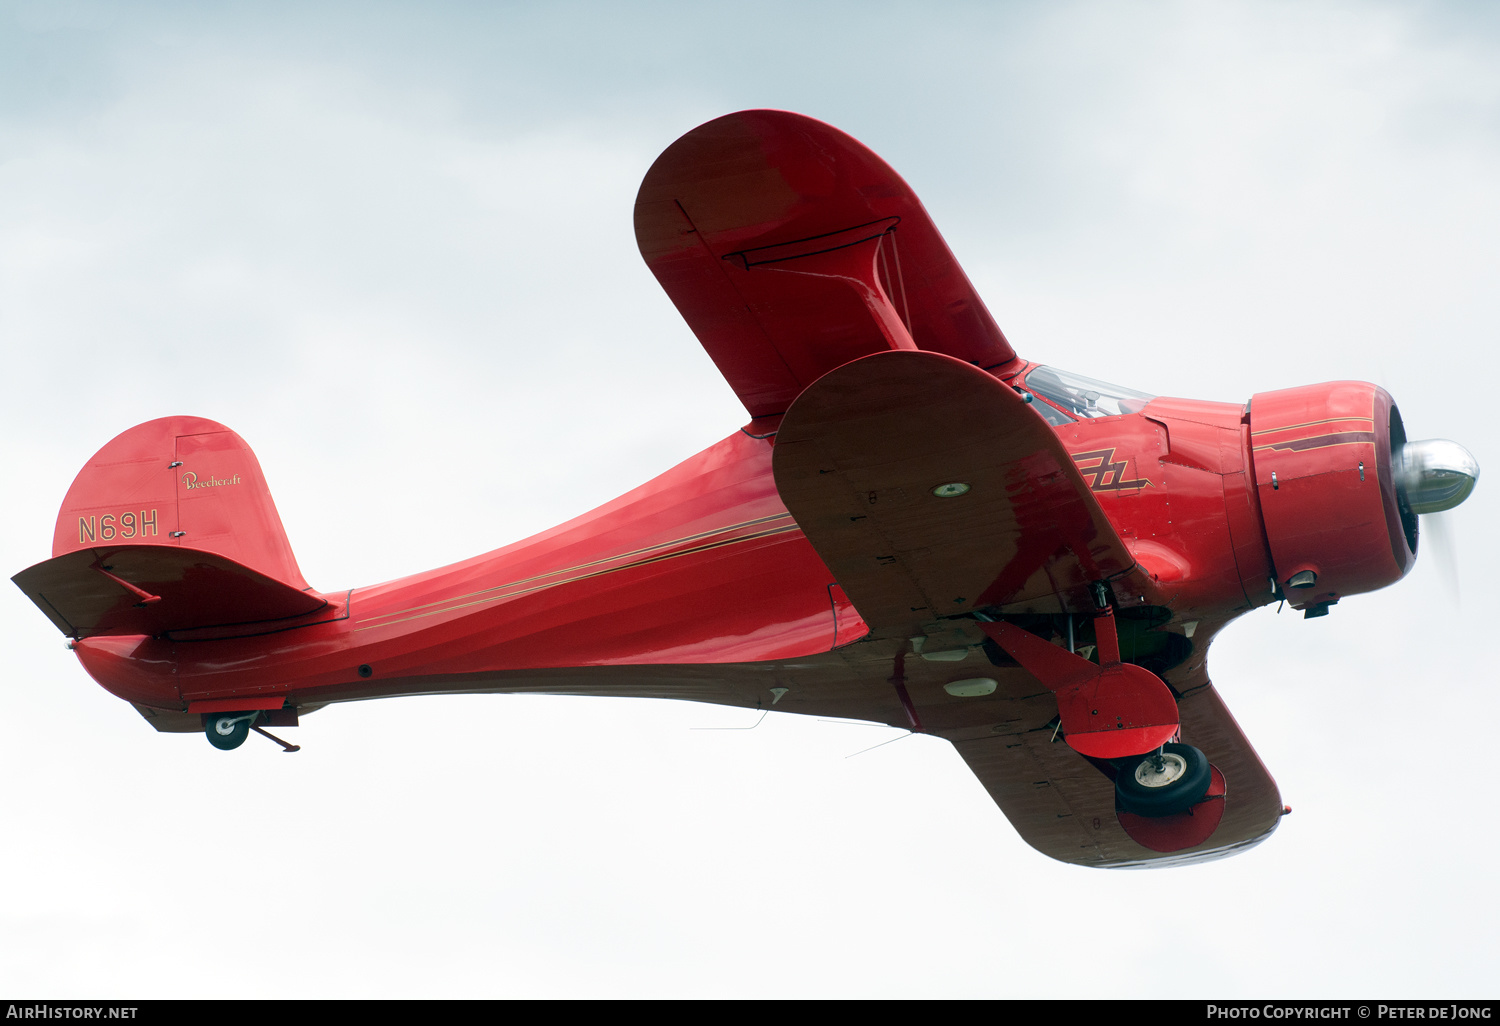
[[1328, 476]]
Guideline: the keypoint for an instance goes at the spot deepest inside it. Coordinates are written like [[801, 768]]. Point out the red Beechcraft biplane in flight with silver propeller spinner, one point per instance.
[[916, 527]]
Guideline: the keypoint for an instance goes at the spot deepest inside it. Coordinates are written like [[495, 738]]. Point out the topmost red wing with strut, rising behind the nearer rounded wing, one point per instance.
[[791, 250]]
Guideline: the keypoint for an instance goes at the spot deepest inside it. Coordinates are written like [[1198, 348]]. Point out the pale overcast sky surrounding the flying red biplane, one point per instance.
[[391, 245]]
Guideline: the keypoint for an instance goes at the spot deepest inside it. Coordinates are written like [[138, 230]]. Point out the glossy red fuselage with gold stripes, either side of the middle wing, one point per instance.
[[701, 566]]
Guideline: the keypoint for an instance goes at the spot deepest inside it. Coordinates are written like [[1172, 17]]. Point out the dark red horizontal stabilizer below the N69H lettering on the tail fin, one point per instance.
[[157, 589]]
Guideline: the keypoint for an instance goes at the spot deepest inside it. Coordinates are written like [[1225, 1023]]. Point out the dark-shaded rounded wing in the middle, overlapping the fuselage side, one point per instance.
[[860, 454]]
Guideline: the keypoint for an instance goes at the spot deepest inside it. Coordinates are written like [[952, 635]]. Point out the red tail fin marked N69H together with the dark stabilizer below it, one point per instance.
[[169, 527]]
